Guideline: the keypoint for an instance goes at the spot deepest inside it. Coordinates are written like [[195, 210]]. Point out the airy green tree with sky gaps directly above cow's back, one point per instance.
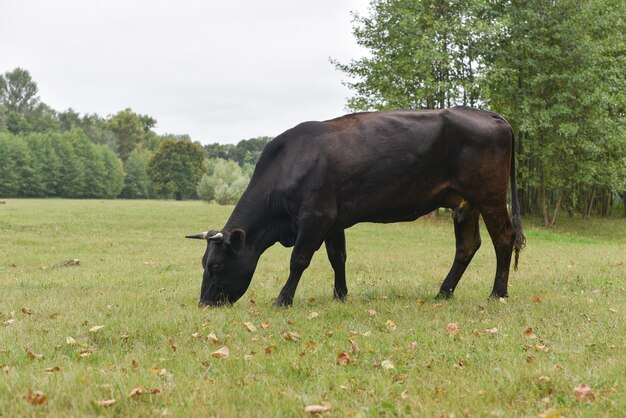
[[422, 54]]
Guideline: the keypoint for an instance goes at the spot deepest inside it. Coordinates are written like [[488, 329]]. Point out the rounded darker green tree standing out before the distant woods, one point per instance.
[[176, 169]]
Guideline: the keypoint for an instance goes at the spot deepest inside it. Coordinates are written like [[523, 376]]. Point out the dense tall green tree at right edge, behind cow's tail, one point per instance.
[[560, 80]]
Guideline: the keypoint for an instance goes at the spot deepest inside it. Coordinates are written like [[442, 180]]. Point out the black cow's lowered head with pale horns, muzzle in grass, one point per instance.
[[228, 266]]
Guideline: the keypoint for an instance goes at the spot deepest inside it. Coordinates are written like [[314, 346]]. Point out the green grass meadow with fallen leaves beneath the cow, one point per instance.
[[140, 280]]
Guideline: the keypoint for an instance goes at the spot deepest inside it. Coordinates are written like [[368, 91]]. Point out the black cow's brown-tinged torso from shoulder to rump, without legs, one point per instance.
[[391, 166]]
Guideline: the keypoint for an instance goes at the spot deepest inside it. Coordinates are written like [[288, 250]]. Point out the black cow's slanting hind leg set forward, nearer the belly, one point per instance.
[[467, 243]]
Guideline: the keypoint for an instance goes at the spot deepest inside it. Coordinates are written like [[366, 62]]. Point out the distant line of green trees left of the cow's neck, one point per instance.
[[47, 153]]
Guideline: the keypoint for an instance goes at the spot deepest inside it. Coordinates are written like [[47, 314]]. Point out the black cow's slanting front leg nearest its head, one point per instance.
[[311, 234]]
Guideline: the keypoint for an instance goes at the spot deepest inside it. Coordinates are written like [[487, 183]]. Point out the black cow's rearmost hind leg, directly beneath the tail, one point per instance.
[[502, 235]]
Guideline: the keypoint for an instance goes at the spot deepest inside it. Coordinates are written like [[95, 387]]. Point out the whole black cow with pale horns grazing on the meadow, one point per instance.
[[319, 178]]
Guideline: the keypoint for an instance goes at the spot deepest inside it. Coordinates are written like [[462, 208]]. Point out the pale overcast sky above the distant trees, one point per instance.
[[220, 71]]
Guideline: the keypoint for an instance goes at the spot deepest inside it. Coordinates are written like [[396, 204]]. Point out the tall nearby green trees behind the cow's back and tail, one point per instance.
[[555, 69]]
